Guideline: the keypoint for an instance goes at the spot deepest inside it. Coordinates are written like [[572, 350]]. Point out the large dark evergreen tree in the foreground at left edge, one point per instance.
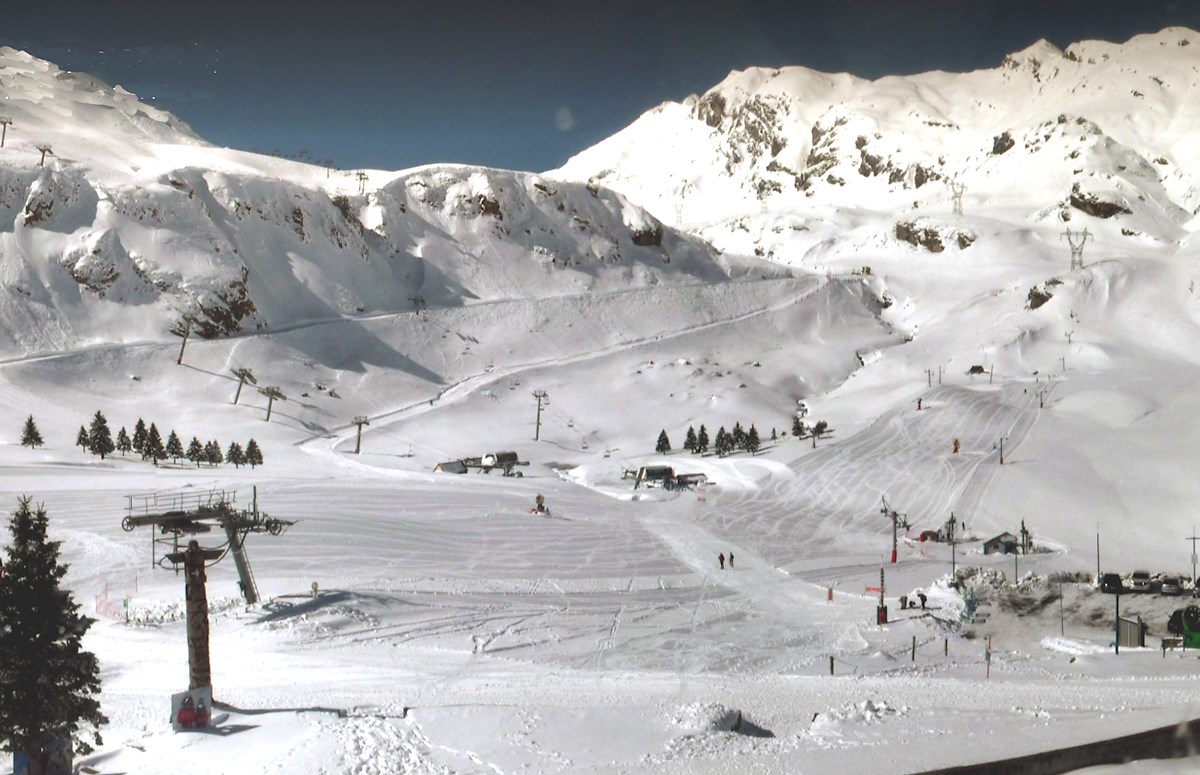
[[49, 684]]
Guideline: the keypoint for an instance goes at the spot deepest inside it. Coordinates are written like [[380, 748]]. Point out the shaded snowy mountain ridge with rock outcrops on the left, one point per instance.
[[130, 218]]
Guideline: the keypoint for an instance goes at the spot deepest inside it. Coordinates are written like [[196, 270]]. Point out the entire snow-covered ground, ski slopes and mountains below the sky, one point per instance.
[[967, 368]]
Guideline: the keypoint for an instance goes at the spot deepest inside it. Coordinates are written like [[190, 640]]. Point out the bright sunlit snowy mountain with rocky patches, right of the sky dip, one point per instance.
[[1100, 136]]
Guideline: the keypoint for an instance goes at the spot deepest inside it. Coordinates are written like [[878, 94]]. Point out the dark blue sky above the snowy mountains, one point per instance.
[[524, 86]]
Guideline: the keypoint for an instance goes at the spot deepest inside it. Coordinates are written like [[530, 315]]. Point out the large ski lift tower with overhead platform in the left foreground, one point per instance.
[[177, 520]]
